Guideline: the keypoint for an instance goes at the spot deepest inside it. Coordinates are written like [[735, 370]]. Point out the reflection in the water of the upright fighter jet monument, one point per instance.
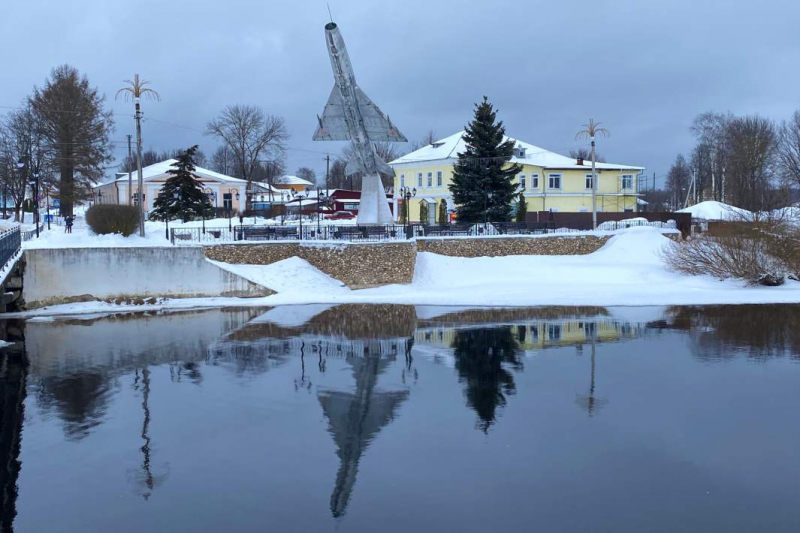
[[355, 418]]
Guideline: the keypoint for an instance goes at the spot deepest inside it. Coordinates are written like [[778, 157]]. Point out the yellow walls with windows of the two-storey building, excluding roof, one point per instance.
[[571, 197]]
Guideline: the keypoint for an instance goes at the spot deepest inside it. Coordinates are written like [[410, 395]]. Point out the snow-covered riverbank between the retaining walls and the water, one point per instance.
[[627, 271]]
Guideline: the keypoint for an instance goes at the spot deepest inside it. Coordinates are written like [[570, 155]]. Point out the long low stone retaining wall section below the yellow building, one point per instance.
[[498, 246]]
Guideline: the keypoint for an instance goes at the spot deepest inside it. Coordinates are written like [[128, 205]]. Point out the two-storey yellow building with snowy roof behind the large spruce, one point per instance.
[[549, 181]]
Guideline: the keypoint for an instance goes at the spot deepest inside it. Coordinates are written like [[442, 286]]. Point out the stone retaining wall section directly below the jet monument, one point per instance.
[[357, 265]]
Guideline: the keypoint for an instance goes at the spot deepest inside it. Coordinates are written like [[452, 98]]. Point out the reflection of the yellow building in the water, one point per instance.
[[536, 335]]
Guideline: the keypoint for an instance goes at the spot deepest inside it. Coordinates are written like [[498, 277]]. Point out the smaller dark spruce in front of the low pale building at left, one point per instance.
[[182, 195]]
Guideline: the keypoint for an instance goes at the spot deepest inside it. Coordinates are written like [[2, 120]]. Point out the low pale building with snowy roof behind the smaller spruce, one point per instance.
[[224, 192]]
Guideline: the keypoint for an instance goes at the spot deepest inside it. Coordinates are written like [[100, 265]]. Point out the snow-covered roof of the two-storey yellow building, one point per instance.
[[450, 147]]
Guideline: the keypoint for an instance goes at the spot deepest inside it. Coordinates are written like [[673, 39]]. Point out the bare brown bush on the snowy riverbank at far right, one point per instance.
[[763, 253]]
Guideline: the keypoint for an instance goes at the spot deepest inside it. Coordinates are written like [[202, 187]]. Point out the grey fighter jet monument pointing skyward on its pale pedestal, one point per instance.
[[351, 116]]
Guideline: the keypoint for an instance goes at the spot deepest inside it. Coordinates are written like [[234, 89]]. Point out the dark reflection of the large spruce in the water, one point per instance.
[[480, 357]]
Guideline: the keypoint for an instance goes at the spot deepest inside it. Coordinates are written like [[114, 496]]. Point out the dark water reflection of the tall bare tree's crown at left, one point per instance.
[[81, 400]]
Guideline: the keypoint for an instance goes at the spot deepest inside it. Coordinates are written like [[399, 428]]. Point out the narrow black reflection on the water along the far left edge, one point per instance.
[[12, 404]]
